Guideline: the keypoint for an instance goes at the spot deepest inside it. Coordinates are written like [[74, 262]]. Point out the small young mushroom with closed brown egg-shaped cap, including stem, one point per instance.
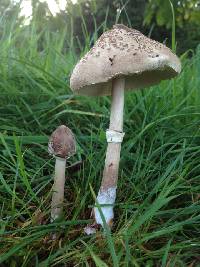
[[62, 146]]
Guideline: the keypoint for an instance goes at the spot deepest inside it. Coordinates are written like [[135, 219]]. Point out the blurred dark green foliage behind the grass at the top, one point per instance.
[[86, 17]]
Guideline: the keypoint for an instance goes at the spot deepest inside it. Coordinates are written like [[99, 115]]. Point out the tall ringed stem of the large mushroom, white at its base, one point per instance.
[[107, 192]]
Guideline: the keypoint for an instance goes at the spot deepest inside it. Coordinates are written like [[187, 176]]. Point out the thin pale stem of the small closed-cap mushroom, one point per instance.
[[58, 189]]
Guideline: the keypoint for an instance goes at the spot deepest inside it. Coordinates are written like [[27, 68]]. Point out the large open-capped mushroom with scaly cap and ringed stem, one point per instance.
[[121, 59]]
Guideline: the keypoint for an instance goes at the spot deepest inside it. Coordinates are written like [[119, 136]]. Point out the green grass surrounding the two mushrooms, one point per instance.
[[158, 201]]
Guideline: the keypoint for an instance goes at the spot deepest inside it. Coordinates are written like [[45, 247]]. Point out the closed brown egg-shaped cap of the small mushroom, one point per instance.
[[62, 142]]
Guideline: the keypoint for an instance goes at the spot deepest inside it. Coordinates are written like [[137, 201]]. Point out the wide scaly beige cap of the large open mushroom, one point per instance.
[[127, 53]]
